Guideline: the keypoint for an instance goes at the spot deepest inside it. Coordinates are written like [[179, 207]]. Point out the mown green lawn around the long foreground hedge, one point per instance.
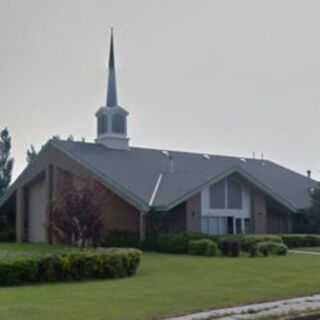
[[165, 285]]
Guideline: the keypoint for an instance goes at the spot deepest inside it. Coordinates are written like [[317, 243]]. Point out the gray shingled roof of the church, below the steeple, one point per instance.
[[136, 171]]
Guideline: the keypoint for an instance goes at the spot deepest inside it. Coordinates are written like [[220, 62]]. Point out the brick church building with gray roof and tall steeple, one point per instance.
[[206, 193]]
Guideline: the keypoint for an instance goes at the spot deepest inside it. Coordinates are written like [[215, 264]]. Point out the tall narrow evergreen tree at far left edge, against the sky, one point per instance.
[[6, 162]]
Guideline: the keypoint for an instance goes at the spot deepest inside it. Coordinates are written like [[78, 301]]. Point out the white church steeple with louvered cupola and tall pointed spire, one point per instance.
[[111, 118]]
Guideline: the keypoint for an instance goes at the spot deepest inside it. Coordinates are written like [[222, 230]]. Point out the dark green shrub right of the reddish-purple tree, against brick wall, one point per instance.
[[122, 239]]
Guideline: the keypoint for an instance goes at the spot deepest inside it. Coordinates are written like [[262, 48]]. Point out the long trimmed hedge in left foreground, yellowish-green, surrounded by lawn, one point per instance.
[[69, 265]]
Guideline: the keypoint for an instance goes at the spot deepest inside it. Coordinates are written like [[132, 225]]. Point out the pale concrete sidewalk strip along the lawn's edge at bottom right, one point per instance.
[[257, 310]]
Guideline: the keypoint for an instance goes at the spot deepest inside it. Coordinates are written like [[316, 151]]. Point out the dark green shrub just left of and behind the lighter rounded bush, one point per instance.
[[177, 242]]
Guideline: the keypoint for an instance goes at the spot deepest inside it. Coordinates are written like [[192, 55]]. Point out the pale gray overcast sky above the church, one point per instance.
[[224, 77]]
